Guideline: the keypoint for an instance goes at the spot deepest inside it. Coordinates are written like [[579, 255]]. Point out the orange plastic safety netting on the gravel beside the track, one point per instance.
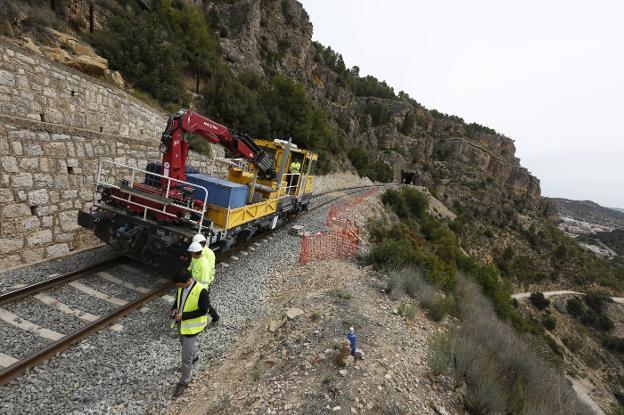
[[342, 239]]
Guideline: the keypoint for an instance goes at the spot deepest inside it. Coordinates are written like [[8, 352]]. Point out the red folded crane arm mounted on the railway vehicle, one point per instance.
[[175, 148]]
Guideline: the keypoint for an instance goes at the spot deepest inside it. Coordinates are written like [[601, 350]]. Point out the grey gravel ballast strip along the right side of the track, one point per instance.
[[134, 371]]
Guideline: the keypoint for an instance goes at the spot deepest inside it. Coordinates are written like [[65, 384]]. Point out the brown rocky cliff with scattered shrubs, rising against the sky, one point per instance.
[[269, 37]]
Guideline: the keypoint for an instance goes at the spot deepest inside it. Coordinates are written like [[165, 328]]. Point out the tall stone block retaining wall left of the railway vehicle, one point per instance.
[[56, 124]]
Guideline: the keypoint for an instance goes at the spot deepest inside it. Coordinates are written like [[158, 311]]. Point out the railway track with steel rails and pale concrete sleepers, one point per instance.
[[13, 368]]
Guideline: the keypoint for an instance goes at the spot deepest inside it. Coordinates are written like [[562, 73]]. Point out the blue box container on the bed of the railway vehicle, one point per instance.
[[221, 192]]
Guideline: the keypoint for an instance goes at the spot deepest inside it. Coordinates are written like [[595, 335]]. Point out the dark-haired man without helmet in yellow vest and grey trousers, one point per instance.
[[189, 312]]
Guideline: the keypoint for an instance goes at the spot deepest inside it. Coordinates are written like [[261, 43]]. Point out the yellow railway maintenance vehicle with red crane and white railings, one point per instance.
[[151, 214]]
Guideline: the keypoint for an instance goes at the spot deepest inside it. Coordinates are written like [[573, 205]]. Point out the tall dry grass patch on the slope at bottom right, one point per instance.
[[501, 369]]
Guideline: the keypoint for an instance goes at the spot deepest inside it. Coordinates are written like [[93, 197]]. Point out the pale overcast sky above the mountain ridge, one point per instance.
[[548, 74]]
